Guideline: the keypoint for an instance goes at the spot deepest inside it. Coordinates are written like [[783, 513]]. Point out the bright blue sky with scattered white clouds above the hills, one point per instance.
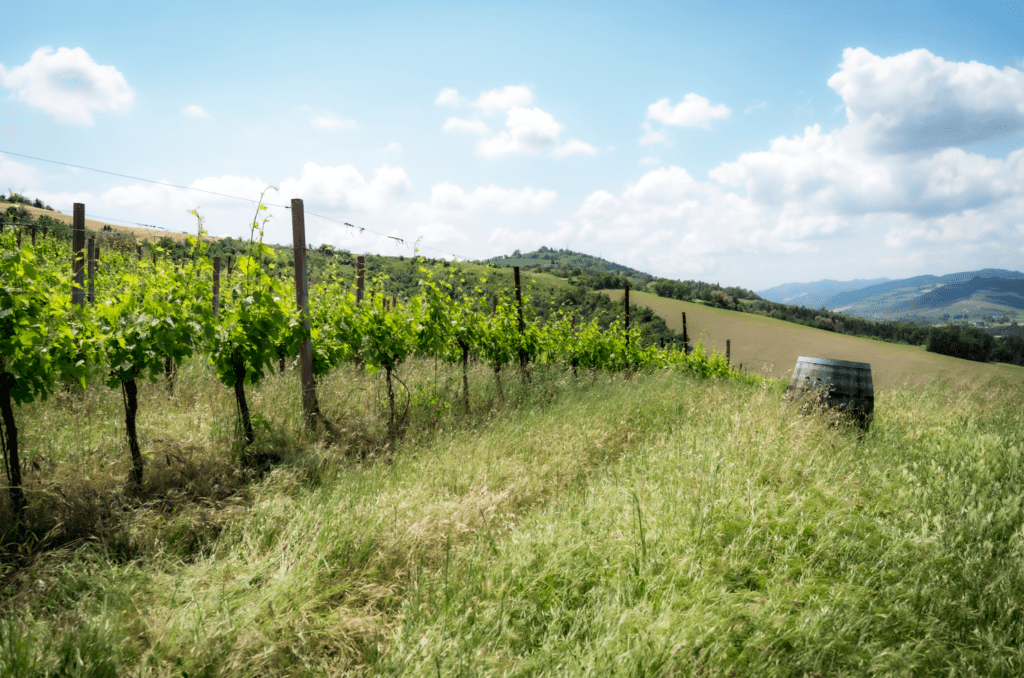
[[745, 144]]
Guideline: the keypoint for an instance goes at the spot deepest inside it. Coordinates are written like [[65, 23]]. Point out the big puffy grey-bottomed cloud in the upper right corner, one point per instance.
[[920, 102]]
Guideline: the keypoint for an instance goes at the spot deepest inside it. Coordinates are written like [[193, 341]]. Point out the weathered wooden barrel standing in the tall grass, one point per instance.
[[844, 386]]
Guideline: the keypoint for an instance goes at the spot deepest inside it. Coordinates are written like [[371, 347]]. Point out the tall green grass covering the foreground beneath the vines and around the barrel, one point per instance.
[[603, 526]]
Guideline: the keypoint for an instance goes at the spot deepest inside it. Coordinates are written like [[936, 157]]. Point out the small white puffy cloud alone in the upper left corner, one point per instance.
[[68, 84]]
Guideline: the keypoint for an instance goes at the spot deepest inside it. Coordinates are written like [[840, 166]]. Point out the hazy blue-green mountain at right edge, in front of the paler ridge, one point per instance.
[[926, 299]]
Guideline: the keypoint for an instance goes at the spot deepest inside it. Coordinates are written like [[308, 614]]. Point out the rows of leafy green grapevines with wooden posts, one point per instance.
[[70, 318]]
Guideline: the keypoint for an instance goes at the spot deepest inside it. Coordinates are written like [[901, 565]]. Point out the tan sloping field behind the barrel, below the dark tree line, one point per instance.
[[772, 347]]
